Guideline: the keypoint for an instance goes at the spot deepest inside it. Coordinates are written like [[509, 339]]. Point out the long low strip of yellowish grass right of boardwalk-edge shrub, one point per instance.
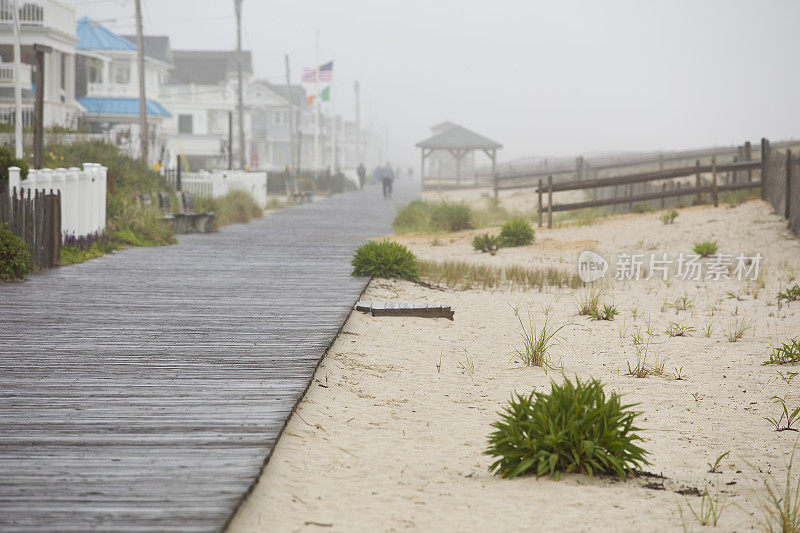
[[466, 276]]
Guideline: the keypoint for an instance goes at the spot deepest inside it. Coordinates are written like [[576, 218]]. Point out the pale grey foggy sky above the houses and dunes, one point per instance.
[[540, 77]]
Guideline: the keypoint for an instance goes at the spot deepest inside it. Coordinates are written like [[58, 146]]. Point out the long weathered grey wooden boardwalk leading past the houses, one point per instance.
[[144, 390]]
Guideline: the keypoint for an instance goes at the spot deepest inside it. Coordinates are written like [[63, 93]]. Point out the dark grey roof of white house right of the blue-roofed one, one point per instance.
[[207, 67]]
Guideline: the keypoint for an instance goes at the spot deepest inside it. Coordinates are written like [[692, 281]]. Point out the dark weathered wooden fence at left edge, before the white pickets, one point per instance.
[[35, 217]]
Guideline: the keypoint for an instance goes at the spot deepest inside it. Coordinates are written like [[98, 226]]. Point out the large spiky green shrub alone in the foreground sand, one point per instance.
[[575, 428]]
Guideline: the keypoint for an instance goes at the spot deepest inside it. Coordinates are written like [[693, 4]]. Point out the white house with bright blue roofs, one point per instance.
[[107, 87]]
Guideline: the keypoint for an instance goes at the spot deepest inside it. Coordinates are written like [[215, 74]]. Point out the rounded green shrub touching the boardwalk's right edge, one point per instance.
[[385, 259]]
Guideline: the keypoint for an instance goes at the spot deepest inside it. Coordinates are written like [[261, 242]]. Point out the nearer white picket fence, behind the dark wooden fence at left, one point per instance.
[[83, 194]]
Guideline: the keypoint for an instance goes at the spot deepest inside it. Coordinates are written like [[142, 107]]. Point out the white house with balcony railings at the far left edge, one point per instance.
[[50, 24]]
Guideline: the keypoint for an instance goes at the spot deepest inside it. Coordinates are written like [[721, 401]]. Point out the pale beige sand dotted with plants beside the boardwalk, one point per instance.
[[384, 440]]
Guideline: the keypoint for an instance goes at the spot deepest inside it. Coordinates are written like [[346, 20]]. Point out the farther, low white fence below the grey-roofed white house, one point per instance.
[[218, 183]]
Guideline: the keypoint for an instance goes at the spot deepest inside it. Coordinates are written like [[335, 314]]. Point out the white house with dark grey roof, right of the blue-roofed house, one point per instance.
[[201, 96]]
